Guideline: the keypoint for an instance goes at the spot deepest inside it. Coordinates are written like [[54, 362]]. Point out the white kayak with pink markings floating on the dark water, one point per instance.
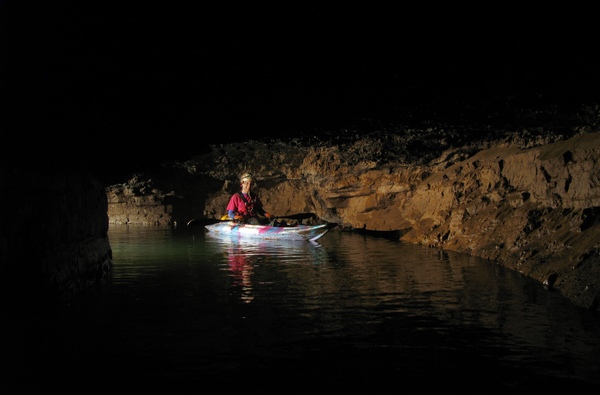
[[298, 232]]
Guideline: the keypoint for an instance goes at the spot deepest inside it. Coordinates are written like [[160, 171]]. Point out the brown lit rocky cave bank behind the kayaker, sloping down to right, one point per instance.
[[528, 201]]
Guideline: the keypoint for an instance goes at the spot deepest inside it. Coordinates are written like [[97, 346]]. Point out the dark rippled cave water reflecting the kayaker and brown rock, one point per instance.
[[348, 313]]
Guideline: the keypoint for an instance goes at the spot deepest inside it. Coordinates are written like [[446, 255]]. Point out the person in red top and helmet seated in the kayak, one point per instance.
[[246, 207]]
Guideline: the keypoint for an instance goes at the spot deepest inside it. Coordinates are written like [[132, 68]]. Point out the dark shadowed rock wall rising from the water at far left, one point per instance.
[[54, 238]]
